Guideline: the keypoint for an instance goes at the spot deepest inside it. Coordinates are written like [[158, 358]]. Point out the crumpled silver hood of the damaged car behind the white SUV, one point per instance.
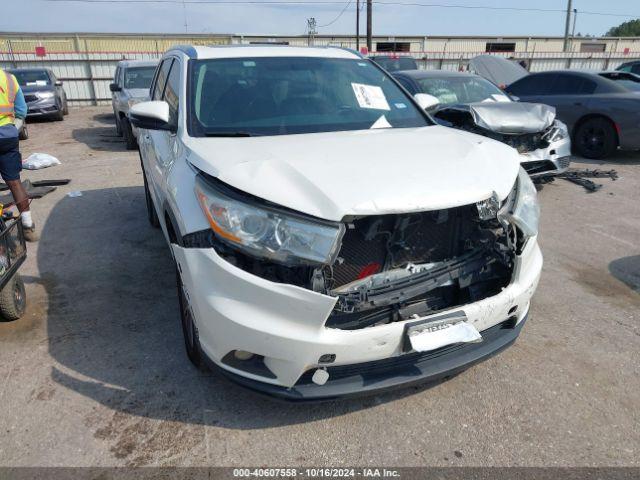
[[512, 118]]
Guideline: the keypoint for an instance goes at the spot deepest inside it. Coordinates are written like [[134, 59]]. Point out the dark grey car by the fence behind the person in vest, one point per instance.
[[43, 93]]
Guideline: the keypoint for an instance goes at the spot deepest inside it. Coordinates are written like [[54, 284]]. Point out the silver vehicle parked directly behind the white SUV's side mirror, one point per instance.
[[130, 85]]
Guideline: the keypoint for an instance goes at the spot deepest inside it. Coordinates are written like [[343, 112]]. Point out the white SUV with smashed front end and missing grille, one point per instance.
[[329, 238]]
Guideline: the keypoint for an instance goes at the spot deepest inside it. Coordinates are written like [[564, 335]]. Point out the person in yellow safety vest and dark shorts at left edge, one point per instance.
[[13, 111]]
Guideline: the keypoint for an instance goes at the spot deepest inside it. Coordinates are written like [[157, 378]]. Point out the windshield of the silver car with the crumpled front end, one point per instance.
[[454, 90]]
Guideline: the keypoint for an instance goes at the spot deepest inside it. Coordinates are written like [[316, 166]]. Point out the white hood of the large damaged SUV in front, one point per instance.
[[332, 175]]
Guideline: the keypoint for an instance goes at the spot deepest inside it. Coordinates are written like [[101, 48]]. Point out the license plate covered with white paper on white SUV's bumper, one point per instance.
[[428, 334]]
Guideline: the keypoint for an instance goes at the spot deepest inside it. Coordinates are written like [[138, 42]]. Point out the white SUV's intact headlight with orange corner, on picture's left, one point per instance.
[[270, 233]]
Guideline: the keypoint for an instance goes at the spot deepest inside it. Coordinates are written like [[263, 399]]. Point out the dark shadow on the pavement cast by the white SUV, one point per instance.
[[114, 329]]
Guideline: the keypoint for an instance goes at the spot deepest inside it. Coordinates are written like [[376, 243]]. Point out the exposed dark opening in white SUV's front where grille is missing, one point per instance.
[[394, 267]]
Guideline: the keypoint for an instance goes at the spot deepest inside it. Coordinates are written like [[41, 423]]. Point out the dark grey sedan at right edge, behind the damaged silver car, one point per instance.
[[601, 114]]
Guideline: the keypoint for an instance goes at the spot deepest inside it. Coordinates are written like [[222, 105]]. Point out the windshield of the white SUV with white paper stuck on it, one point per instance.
[[288, 95]]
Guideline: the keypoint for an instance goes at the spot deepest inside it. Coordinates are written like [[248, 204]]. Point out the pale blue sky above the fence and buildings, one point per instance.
[[263, 17]]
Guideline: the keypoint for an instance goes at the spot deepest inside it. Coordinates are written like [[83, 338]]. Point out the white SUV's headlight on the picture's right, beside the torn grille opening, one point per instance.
[[521, 206]]
